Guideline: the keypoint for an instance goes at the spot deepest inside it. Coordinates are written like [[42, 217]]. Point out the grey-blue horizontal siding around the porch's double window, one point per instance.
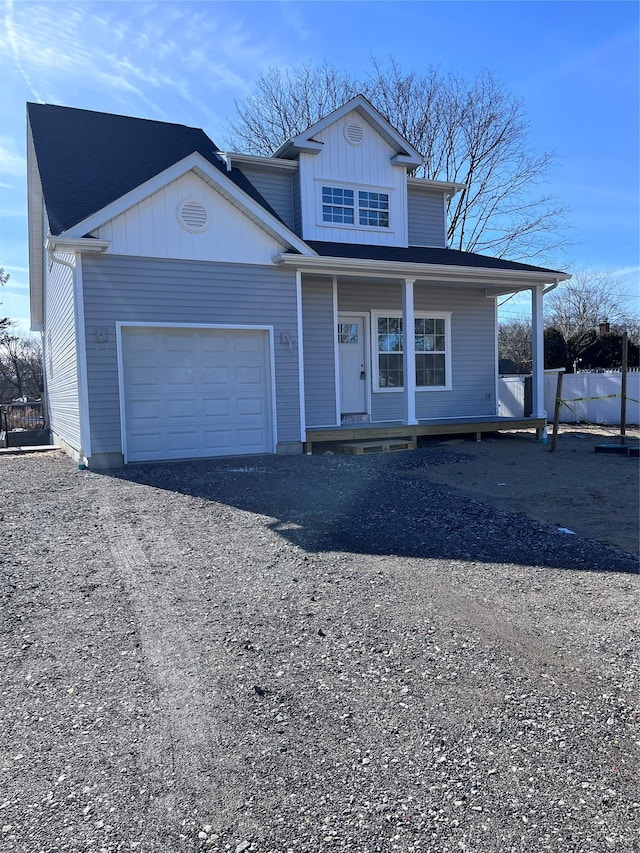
[[472, 347]]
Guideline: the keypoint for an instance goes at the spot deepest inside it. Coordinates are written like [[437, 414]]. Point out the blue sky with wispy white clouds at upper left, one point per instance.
[[574, 64]]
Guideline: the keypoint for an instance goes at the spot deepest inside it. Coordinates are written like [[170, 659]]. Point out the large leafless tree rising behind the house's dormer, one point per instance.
[[471, 132]]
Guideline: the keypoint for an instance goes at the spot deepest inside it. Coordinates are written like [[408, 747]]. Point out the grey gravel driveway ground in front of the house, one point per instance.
[[308, 654]]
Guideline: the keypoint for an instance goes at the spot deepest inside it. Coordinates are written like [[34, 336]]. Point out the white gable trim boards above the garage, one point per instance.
[[213, 176]]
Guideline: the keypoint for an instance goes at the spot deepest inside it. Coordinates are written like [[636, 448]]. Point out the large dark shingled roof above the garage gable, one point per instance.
[[89, 159]]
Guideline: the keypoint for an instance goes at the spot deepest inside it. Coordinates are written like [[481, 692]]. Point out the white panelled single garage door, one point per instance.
[[192, 393]]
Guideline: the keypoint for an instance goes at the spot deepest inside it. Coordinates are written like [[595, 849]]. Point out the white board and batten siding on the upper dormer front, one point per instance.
[[366, 166]]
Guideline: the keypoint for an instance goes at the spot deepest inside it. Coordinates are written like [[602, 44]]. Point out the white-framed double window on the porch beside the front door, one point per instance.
[[433, 368]]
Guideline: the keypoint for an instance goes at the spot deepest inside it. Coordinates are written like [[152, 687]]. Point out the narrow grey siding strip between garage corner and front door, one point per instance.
[[319, 351]]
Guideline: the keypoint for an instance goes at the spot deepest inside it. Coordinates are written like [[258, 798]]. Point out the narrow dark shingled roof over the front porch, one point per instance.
[[420, 255]]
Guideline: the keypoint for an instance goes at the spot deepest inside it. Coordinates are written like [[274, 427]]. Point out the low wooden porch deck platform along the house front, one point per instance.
[[437, 426]]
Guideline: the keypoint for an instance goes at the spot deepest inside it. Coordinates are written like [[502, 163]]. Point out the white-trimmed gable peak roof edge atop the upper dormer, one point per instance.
[[406, 154]]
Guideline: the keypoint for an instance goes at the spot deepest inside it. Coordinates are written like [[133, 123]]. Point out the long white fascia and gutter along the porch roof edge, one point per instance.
[[508, 281]]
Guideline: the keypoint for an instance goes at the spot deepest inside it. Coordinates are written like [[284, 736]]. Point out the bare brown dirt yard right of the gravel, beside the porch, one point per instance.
[[595, 495]]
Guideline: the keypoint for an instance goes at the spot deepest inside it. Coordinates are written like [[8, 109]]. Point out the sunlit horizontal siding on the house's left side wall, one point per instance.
[[60, 352]]
